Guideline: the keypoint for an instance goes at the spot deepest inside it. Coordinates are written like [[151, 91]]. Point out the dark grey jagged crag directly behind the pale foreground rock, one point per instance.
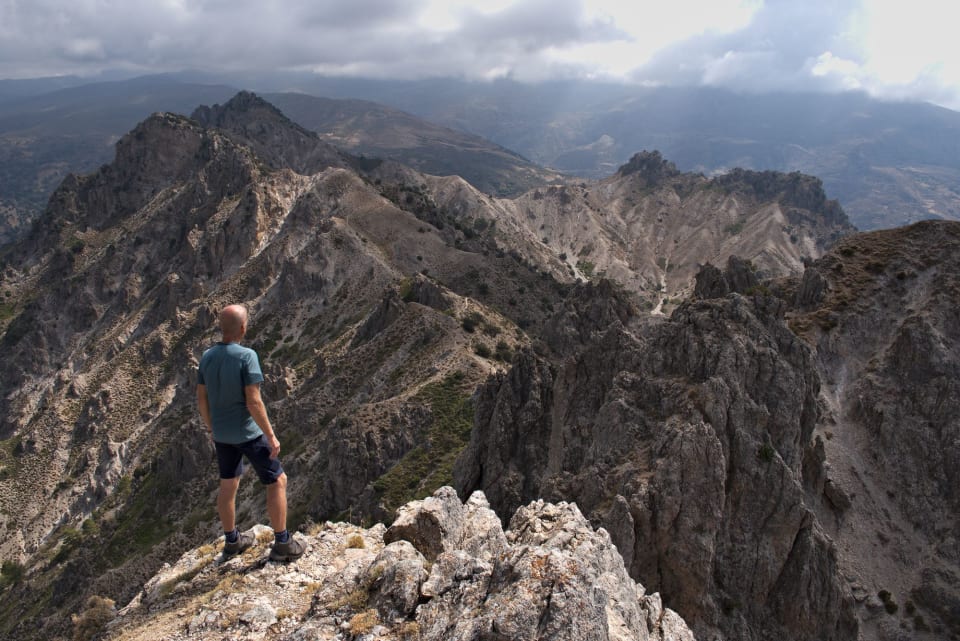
[[689, 440]]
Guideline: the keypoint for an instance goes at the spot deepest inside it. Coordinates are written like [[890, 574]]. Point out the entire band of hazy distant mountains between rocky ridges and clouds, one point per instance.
[[887, 163]]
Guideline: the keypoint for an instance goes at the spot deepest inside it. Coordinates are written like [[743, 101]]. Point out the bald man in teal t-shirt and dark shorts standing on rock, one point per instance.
[[228, 393]]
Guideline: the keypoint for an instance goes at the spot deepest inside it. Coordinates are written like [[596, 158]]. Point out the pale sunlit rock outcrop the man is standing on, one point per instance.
[[444, 571]]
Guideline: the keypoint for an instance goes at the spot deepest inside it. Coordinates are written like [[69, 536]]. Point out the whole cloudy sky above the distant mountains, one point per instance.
[[893, 49]]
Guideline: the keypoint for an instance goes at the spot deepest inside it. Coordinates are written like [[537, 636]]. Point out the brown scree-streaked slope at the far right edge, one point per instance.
[[882, 311]]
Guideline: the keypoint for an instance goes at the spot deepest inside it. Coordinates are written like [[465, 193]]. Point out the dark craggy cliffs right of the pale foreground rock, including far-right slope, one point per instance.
[[777, 458]]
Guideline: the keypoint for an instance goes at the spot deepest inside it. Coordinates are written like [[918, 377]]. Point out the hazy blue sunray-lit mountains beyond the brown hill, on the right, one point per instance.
[[887, 163]]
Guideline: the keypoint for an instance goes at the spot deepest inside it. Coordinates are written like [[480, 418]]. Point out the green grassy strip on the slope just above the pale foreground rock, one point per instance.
[[429, 466]]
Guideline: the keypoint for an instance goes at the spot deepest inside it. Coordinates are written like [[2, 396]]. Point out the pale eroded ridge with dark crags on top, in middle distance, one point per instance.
[[650, 227]]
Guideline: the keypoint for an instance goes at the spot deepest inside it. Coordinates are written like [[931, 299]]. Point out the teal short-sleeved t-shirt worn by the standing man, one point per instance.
[[225, 369]]
